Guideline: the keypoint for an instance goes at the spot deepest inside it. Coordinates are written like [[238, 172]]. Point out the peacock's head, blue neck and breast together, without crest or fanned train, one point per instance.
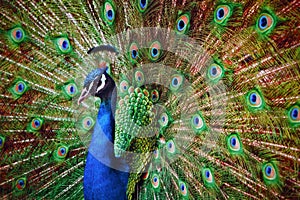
[[105, 176]]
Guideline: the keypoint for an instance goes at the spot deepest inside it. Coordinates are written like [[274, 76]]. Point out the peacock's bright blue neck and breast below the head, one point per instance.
[[105, 177]]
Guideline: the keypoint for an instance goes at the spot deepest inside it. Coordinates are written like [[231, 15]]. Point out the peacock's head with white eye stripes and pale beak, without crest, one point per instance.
[[97, 83]]
